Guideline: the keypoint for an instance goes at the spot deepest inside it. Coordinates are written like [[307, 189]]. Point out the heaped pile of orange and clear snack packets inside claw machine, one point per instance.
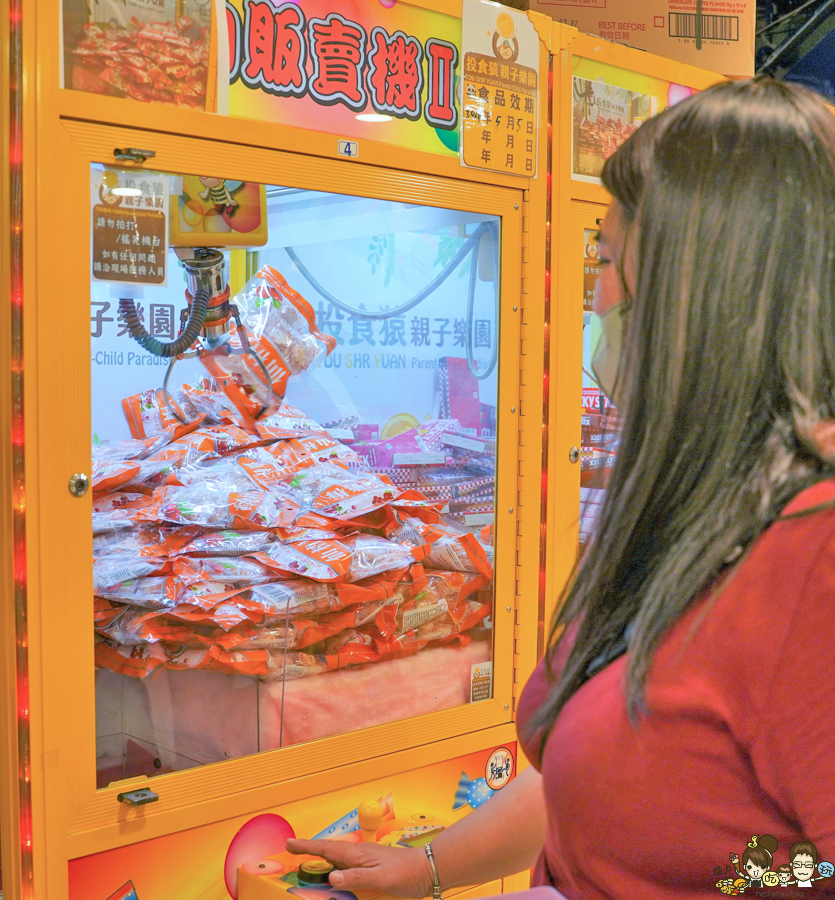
[[267, 550]]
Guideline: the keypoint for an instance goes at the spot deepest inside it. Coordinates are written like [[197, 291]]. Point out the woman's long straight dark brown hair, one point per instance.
[[728, 363]]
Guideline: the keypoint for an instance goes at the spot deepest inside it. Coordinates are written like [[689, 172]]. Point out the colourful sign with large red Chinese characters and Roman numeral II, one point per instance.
[[357, 69]]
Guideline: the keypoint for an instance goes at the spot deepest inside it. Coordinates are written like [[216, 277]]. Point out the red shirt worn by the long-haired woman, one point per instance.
[[739, 740]]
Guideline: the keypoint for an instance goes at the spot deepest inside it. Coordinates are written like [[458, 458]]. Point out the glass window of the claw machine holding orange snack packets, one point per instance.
[[294, 458]]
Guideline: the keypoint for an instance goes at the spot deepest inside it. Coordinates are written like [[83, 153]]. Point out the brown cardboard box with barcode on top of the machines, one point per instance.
[[717, 35]]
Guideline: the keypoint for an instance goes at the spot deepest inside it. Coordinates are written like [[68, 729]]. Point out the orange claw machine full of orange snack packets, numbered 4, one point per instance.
[[273, 453]]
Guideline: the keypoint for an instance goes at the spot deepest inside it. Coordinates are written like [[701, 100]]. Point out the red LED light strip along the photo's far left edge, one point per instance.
[[18, 439]]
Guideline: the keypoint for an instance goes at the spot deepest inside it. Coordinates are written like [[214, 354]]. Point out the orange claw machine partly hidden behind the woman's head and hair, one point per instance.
[[605, 92]]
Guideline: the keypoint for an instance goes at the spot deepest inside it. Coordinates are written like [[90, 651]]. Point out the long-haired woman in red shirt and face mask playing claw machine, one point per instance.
[[714, 565]]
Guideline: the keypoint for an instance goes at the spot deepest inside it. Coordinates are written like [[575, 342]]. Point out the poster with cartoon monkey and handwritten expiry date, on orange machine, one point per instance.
[[500, 90]]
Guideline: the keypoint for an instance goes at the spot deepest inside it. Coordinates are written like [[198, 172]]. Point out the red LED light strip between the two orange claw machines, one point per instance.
[[546, 379]]
